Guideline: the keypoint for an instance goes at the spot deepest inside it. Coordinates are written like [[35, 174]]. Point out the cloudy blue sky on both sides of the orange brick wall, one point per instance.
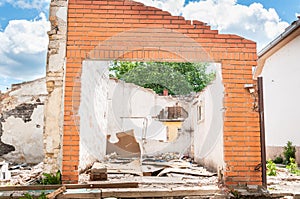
[[24, 25]]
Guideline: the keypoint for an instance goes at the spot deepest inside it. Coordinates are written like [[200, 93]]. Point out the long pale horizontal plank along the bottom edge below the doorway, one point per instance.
[[135, 193]]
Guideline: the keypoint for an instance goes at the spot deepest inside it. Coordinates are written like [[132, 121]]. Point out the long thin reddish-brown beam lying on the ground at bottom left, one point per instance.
[[71, 186]]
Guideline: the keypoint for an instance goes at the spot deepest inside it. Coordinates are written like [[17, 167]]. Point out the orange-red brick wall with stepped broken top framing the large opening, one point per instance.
[[116, 29]]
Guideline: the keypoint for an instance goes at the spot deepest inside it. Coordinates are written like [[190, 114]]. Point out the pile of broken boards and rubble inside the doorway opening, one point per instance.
[[169, 169]]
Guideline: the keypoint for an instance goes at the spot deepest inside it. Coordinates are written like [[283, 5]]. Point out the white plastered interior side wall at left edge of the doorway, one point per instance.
[[93, 112]]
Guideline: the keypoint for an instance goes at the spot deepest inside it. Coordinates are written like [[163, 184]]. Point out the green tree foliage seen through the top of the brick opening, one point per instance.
[[177, 78]]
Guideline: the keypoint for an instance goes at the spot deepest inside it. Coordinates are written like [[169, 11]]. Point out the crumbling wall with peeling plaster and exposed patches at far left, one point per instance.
[[22, 122]]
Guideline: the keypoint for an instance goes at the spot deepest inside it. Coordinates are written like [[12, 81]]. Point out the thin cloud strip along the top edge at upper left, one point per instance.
[[28, 4]]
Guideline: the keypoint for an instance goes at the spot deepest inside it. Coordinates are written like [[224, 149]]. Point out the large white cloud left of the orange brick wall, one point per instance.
[[23, 48]]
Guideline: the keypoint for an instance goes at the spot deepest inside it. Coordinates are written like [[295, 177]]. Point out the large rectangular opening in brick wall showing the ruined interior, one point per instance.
[[133, 131]]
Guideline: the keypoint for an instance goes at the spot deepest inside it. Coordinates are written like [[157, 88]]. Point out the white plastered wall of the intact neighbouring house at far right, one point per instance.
[[281, 74]]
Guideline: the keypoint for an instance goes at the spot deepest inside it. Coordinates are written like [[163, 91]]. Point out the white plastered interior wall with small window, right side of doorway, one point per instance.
[[208, 134]]
